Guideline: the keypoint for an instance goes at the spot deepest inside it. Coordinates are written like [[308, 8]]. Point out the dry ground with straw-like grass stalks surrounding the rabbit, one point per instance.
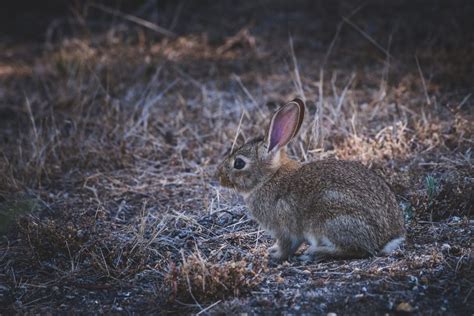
[[113, 119]]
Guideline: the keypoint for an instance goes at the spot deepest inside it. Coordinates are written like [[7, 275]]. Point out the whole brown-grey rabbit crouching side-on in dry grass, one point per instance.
[[343, 209]]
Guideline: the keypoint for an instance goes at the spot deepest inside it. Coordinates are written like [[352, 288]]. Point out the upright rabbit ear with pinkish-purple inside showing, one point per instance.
[[285, 124]]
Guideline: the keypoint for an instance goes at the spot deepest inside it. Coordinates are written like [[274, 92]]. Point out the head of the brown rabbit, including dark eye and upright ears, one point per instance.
[[257, 160]]
